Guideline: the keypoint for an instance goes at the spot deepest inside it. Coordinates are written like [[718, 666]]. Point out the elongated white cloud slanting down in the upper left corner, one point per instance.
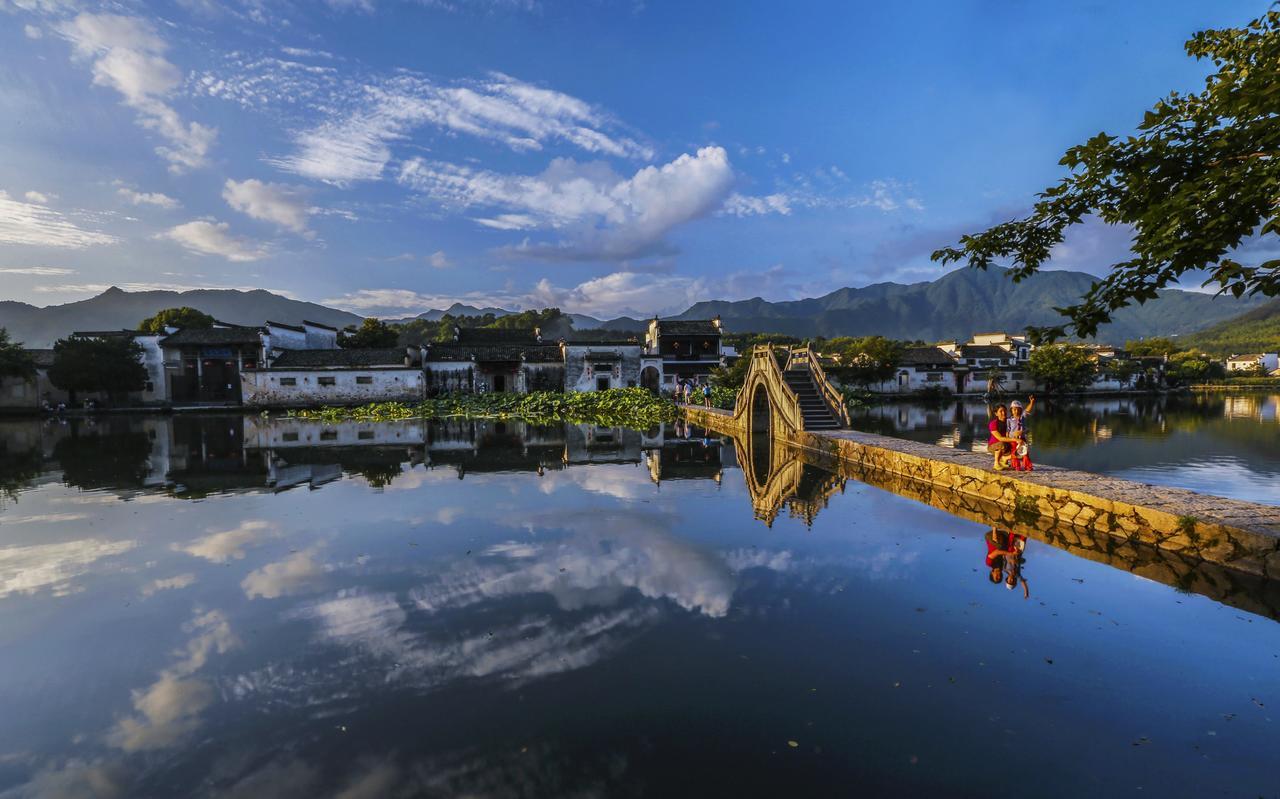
[[127, 56]]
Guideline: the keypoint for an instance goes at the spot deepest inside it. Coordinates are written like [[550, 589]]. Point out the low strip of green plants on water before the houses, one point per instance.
[[630, 408]]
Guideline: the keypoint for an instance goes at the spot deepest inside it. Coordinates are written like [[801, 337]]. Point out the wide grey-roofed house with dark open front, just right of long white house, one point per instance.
[[484, 360]]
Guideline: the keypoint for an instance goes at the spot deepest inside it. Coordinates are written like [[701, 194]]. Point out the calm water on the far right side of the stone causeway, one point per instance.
[[1215, 444]]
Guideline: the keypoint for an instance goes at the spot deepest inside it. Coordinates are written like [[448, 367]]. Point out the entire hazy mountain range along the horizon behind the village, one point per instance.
[[956, 307]]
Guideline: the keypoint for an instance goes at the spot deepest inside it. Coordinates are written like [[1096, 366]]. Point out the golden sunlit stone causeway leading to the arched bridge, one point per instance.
[[1241, 536]]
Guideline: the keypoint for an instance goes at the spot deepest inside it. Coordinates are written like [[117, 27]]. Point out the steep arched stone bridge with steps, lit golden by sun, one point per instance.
[[787, 392]]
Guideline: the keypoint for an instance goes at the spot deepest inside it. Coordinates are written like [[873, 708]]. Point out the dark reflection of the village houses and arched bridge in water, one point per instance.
[[200, 455]]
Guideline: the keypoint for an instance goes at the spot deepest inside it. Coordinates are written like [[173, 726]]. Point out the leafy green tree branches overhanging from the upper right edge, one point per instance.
[[1197, 180]]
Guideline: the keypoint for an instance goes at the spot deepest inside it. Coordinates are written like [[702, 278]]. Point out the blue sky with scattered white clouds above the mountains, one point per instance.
[[605, 157]]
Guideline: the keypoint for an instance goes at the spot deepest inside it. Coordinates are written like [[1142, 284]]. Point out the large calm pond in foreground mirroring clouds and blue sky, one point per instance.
[[222, 606]]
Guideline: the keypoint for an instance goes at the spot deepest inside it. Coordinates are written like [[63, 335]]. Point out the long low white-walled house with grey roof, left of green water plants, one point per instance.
[[335, 377]]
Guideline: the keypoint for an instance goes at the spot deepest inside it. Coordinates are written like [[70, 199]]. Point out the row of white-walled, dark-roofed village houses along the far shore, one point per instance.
[[281, 366]]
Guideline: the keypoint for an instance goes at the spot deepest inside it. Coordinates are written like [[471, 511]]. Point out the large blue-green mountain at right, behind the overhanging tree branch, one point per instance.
[[964, 303]]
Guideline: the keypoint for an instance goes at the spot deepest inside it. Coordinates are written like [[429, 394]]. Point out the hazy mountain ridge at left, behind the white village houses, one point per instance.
[[116, 309]]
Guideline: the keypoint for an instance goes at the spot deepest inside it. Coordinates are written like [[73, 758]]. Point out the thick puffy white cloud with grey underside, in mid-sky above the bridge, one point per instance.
[[602, 216]]
